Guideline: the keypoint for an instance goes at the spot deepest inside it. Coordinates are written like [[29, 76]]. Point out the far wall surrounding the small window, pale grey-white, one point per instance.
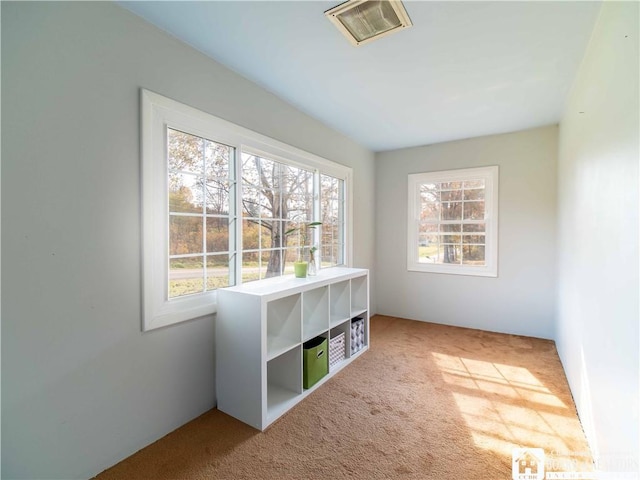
[[522, 299]]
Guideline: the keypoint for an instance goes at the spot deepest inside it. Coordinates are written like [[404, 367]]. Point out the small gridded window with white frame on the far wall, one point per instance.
[[453, 222]]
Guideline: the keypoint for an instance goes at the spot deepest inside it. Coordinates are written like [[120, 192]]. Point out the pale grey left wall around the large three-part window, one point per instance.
[[82, 387]]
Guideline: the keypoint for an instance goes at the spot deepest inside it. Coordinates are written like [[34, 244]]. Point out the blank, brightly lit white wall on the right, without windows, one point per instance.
[[598, 315]]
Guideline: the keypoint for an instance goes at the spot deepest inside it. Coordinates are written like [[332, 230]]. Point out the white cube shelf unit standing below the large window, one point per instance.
[[260, 329]]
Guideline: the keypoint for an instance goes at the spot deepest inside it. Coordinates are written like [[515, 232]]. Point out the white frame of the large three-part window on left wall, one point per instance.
[[158, 113]]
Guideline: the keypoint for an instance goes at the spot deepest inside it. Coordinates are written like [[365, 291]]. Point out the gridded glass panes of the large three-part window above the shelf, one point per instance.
[[276, 198]]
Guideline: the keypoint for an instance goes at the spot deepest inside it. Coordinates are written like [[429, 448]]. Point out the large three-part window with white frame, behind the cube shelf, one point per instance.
[[218, 202]]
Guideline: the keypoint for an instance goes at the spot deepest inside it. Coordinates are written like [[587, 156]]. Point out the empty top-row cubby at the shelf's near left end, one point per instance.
[[283, 324]]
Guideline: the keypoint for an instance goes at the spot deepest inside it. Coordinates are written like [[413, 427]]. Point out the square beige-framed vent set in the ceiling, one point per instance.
[[363, 21]]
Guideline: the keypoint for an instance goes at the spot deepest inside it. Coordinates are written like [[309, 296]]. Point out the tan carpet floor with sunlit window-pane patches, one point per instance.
[[425, 402]]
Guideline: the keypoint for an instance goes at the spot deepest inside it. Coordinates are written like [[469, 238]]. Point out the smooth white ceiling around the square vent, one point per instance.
[[464, 69]]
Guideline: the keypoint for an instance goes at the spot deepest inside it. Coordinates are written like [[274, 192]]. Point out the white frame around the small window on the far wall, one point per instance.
[[490, 175]]
